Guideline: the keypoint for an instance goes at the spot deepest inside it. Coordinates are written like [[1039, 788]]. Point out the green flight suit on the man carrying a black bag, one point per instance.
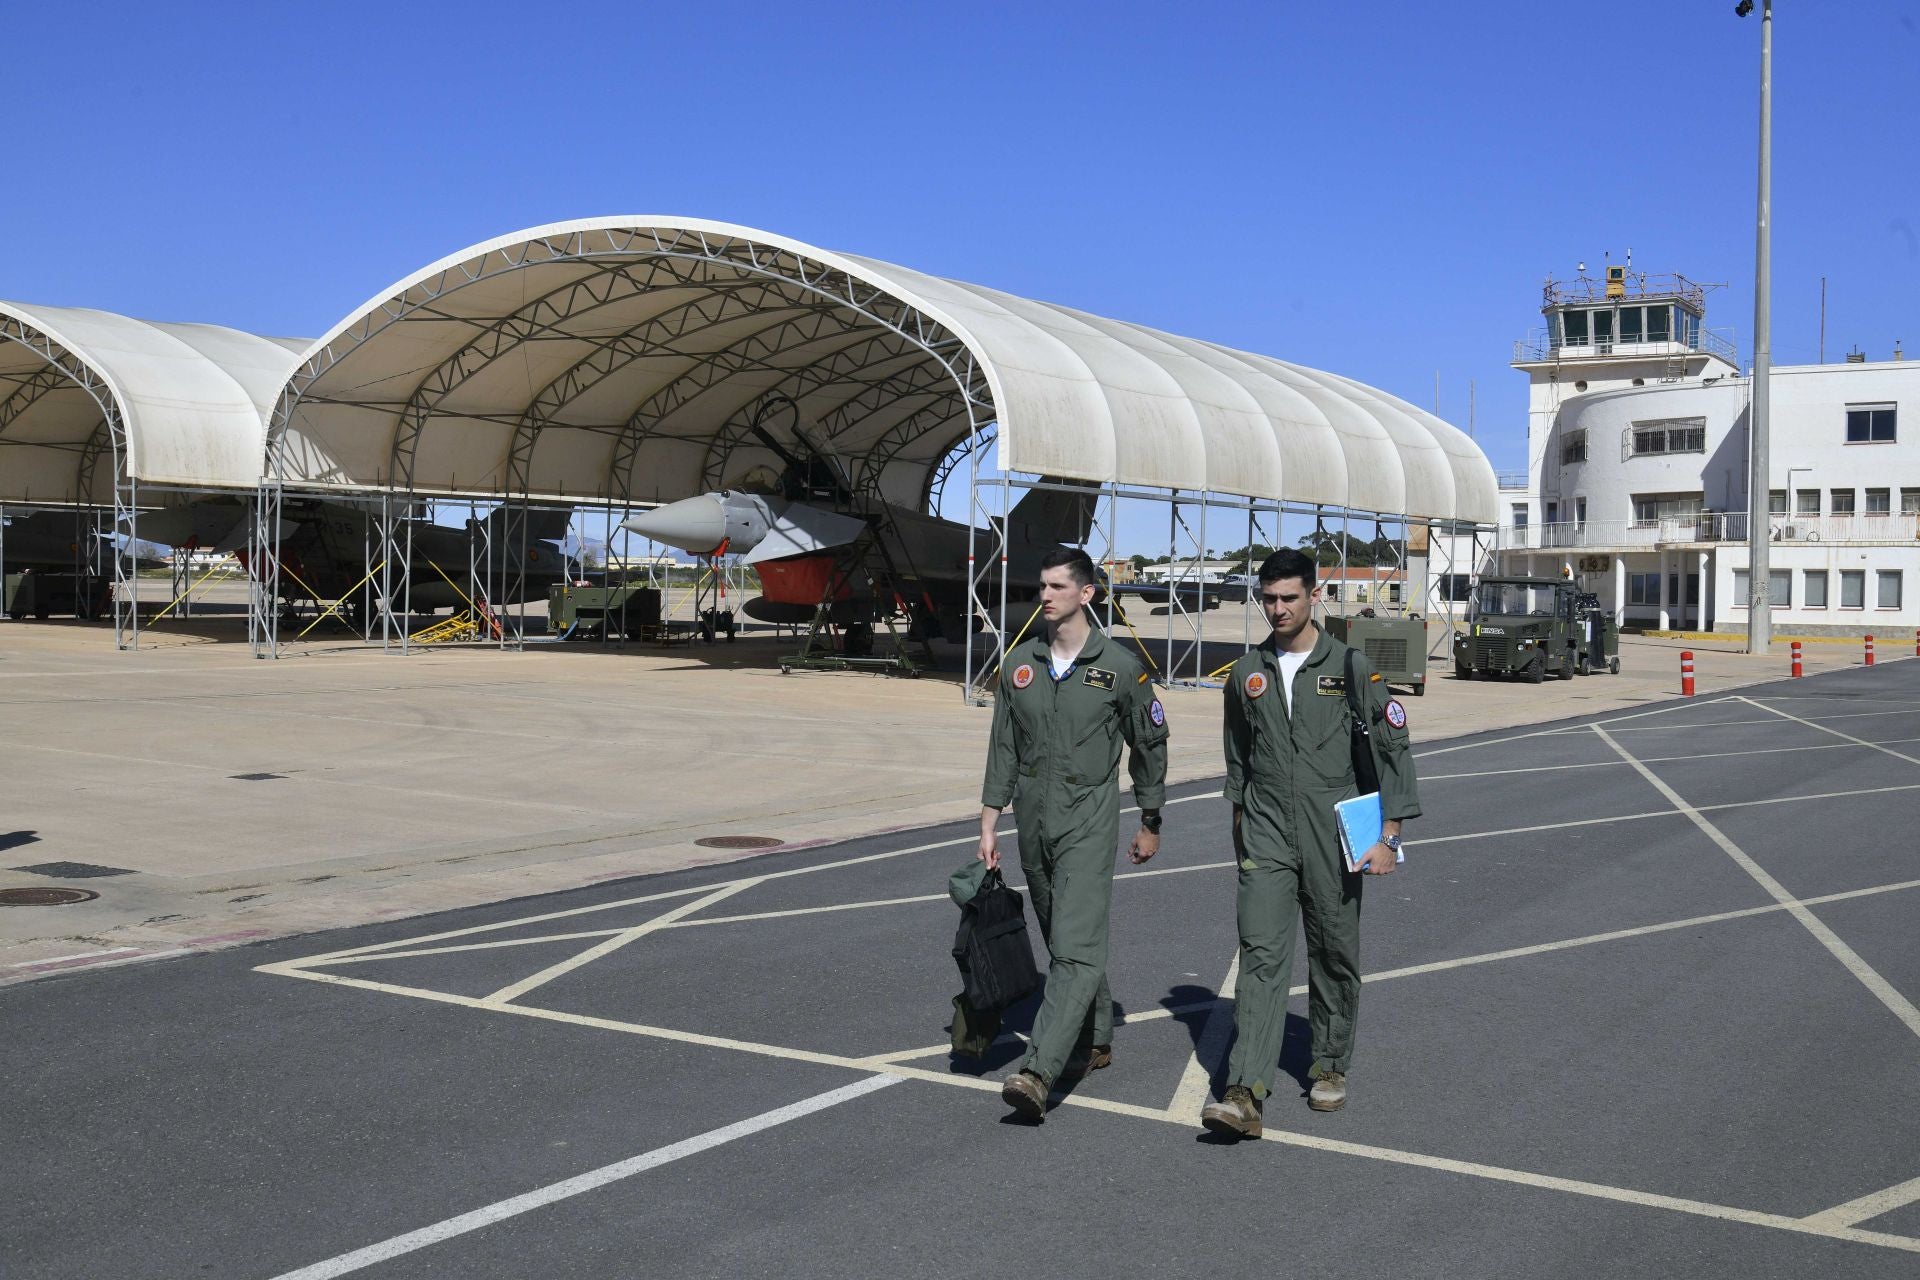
[[1059, 744]]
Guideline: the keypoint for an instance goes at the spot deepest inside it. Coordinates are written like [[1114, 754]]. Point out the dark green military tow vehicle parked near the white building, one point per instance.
[[1533, 628]]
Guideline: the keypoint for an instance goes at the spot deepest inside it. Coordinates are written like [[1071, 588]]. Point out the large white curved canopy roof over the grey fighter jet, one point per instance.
[[629, 358]]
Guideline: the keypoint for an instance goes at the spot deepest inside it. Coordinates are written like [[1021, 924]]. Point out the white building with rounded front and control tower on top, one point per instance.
[[1637, 469]]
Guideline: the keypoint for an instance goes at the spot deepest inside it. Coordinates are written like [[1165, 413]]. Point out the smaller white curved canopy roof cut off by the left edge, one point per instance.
[[187, 402]]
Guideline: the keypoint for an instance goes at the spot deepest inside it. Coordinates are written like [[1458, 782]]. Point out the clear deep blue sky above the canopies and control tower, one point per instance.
[[1372, 189]]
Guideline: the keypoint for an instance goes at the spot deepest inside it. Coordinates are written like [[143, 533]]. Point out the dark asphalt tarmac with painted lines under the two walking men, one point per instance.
[[1639, 1003]]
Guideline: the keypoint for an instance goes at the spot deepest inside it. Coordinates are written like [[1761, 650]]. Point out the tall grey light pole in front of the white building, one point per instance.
[[1760, 492]]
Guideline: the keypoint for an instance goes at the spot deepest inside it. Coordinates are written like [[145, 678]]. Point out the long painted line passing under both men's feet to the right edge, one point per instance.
[[1118, 1108]]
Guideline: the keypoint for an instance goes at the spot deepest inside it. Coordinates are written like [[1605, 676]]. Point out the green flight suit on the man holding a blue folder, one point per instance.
[[1287, 772]]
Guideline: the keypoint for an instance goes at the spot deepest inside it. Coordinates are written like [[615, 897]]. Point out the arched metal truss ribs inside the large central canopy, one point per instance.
[[738, 277]]
